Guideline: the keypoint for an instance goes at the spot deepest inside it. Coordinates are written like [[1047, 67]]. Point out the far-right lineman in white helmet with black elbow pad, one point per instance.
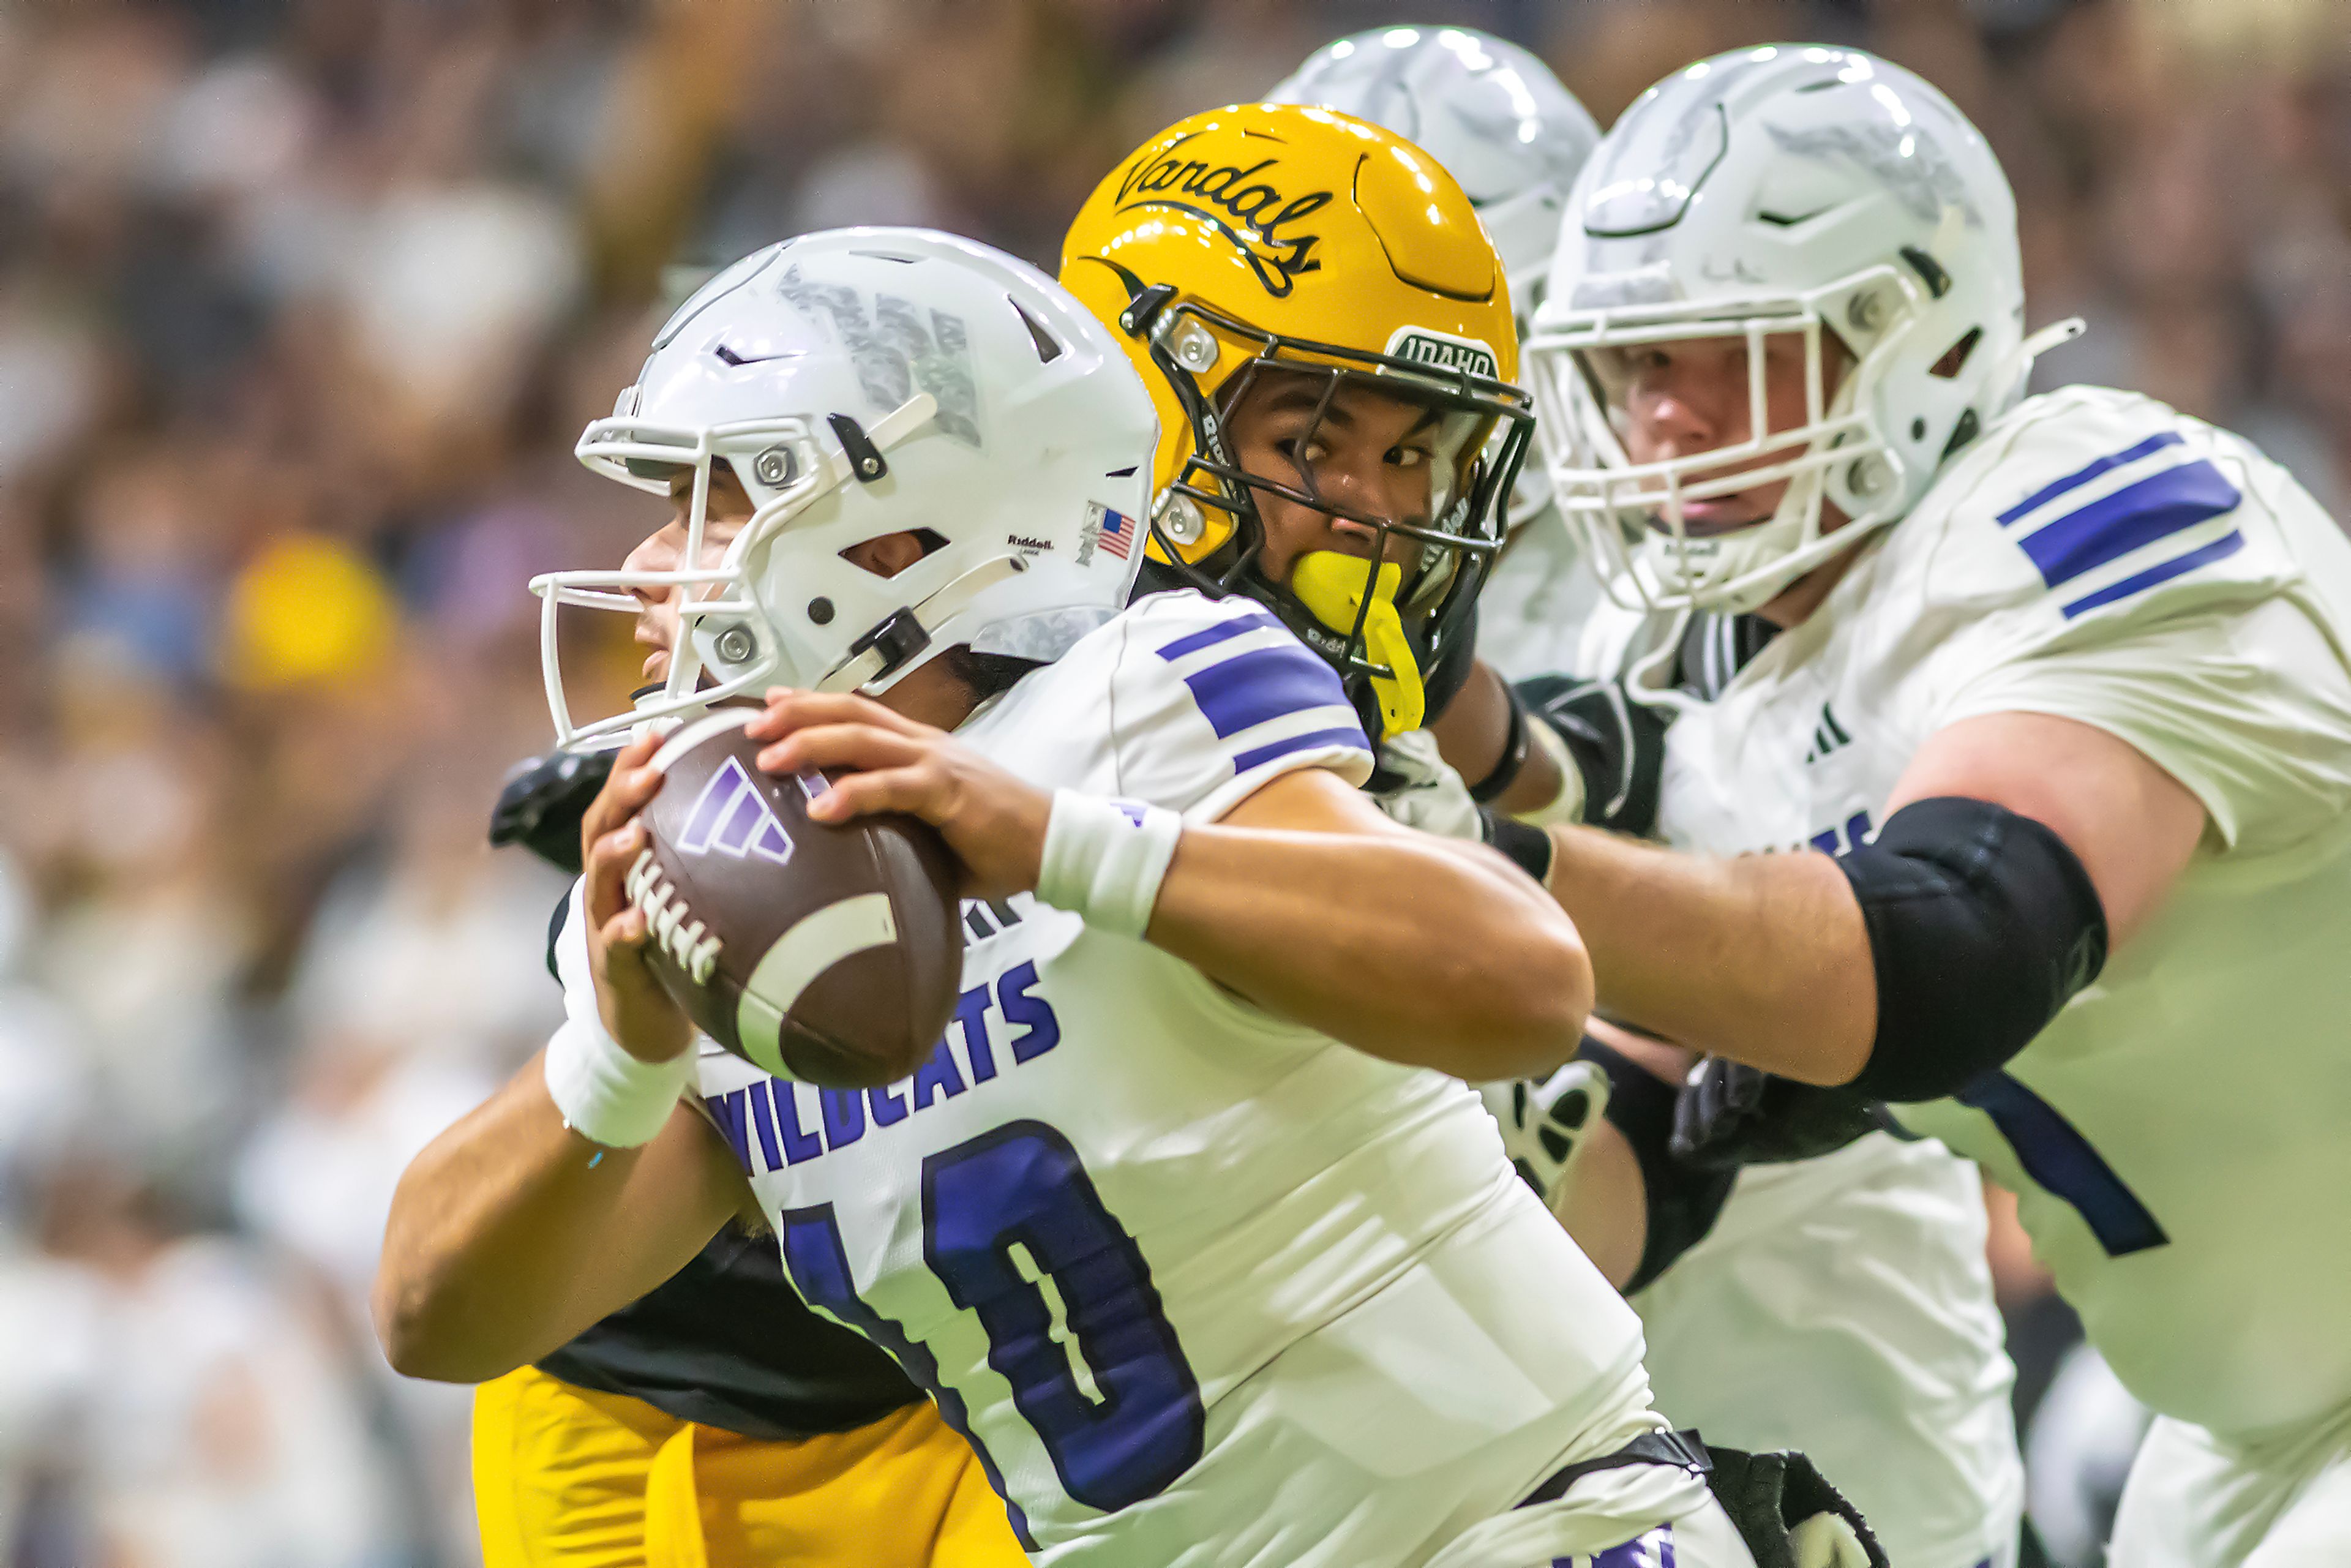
[[2061, 709]]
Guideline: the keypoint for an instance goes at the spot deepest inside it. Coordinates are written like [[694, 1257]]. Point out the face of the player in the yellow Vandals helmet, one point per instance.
[[1369, 453]]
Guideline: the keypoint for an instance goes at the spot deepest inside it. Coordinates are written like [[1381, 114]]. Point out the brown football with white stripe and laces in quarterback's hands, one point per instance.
[[808, 949]]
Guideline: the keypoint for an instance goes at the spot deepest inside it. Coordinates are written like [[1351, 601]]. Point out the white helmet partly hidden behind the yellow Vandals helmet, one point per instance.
[[1501, 126]]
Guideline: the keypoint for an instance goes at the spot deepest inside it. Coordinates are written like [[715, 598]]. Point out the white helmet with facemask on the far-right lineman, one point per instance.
[[1788, 189]]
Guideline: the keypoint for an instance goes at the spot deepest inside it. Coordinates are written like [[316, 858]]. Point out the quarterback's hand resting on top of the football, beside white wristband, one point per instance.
[[890, 763]]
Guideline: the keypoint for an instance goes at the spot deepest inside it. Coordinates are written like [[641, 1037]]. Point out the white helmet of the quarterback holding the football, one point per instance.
[[873, 382]]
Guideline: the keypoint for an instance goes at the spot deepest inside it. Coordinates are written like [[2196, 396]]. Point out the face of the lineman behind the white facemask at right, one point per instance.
[[1692, 396]]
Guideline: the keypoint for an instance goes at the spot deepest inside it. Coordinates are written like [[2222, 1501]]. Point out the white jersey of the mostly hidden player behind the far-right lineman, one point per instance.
[[1840, 1306]]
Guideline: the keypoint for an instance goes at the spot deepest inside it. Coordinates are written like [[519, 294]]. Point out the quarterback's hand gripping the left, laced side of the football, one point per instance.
[[612, 836]]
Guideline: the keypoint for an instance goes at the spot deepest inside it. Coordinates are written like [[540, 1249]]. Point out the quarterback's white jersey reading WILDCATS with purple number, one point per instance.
[[1195, 1282]]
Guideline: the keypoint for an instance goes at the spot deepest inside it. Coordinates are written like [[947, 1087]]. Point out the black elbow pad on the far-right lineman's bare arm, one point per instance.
[[1983, 927]]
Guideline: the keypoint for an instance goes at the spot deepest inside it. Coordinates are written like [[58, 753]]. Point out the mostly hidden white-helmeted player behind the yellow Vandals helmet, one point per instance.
[[1903, 1398]]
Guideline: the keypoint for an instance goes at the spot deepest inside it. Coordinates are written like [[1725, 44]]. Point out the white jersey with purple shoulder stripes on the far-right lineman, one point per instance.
[[2178, 1134]]
